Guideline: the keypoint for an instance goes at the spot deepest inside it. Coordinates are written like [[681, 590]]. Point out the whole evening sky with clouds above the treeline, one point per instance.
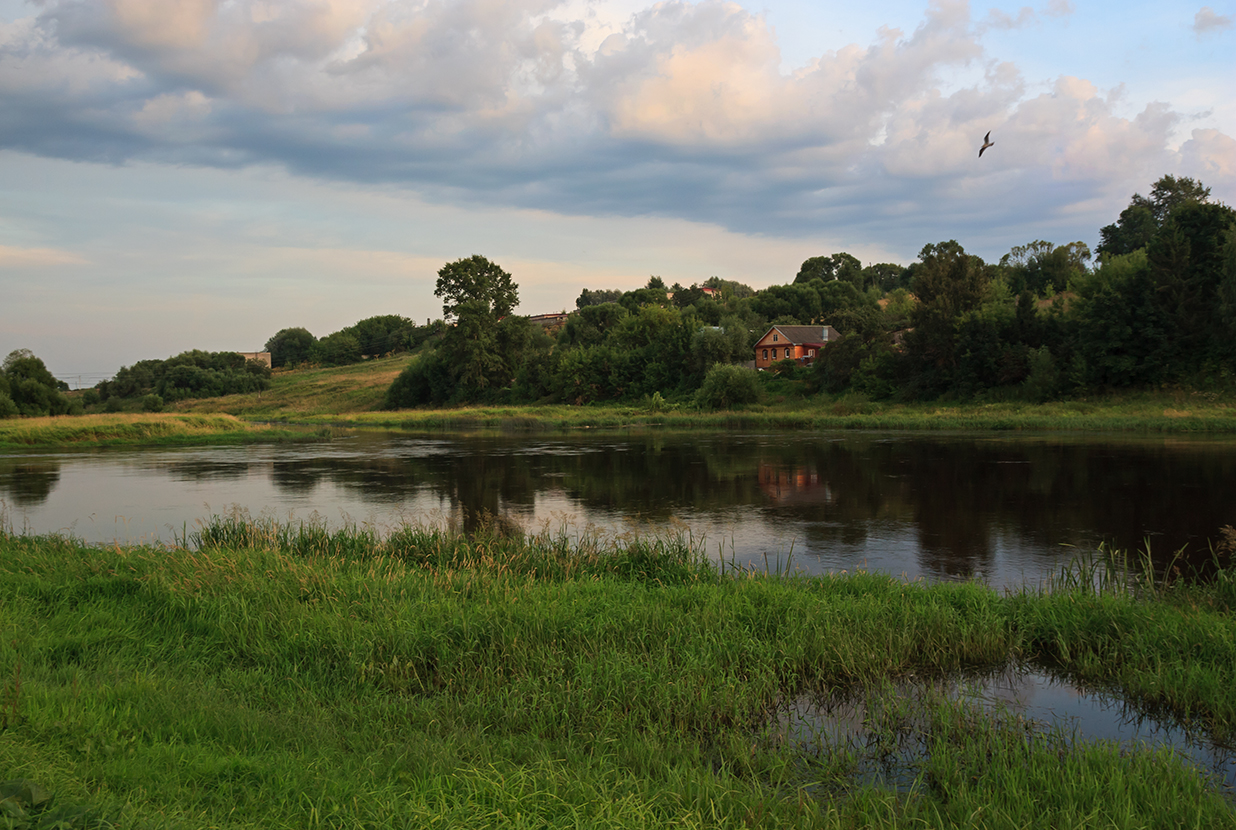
[[184, 175]]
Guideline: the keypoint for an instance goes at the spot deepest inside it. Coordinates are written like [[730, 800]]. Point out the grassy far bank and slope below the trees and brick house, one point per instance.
[[354, 395]]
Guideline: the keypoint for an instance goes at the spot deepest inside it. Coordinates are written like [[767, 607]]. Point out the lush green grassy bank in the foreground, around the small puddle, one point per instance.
[[265, 676]]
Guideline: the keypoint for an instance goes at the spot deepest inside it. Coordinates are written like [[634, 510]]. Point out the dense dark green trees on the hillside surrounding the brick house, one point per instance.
[[1043, 323]]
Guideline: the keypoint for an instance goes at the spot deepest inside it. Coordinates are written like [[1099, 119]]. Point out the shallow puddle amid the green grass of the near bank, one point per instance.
[[887, 728]]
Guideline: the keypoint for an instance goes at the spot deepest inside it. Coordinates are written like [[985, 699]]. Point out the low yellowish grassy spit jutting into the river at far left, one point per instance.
[[151, 428]]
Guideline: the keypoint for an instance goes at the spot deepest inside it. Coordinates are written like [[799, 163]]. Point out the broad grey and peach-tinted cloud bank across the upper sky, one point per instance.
[[684, 112]]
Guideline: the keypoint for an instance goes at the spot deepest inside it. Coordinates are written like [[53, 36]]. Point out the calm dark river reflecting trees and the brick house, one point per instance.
[[1002, 509]]
